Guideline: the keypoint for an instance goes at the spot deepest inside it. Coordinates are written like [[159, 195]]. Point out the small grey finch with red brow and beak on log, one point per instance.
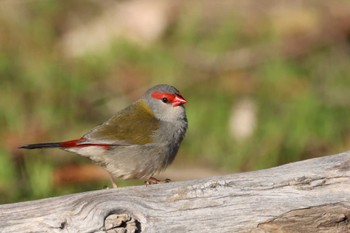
[[137, 142]]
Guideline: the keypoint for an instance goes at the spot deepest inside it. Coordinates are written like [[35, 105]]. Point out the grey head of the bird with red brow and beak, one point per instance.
[[166, 103]]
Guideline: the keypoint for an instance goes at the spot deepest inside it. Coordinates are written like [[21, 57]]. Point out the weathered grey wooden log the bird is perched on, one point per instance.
[[307, 196]]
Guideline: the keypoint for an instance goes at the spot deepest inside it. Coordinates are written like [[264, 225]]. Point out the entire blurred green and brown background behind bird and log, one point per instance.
[[267, 83]]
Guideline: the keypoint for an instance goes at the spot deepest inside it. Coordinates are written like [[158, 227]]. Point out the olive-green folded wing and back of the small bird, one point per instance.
[[133, 125]]
